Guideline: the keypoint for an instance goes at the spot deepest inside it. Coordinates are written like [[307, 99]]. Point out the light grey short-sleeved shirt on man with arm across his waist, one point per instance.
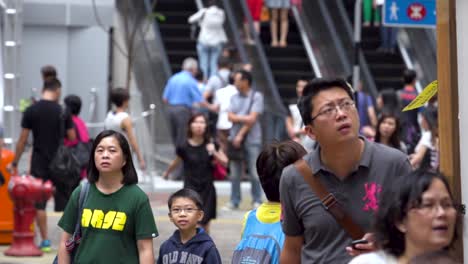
[[239, 105]]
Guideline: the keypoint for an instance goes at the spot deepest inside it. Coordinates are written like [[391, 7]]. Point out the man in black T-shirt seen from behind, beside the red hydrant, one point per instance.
[[46, 121]]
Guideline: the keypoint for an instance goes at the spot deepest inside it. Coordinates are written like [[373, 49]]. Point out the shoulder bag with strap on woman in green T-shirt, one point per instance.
[[72, 243]]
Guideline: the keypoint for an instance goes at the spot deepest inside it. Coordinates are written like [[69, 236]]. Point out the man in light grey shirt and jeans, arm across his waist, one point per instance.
[[246, 132]]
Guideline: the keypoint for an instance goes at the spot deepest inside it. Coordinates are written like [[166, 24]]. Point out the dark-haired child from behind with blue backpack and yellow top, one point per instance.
[[262, 236]]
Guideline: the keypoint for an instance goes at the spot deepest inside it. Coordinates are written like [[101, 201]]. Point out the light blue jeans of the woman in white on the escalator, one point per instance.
[[208, 58]]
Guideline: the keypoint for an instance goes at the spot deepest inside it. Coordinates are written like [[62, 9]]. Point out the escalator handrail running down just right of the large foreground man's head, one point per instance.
[[371, 86]]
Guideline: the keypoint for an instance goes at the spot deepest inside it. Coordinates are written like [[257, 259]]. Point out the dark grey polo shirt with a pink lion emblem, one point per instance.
[[303, 214]]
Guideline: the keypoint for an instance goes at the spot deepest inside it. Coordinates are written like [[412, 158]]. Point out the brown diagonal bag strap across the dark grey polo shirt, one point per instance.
[[329, 201]]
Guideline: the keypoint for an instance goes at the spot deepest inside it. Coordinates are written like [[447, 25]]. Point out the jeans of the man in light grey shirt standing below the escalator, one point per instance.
[[251, 151]]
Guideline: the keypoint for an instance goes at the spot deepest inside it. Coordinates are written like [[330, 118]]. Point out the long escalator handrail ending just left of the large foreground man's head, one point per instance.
[[263, 61]]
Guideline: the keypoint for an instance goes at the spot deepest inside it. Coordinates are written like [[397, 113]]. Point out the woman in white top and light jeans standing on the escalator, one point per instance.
[[211, 38]]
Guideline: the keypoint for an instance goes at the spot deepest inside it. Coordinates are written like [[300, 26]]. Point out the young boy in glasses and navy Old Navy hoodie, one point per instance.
[[189, 243]]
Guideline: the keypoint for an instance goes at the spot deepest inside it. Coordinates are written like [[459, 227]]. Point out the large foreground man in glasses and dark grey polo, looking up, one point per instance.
[[353, 169]]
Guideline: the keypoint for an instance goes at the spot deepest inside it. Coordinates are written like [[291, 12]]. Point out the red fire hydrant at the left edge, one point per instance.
[[25, 191]]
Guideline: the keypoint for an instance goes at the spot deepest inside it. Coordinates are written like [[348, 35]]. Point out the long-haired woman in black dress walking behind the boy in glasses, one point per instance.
[[198, 154]]
